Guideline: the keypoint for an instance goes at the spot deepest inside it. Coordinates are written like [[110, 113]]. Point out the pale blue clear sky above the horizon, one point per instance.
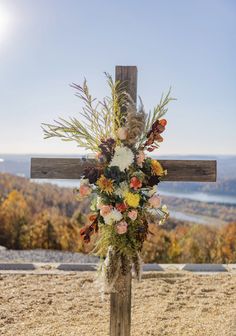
[[189, 45]]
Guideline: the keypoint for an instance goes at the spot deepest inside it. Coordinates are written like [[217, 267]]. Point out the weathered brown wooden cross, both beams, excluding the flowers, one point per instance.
[[72, 168]]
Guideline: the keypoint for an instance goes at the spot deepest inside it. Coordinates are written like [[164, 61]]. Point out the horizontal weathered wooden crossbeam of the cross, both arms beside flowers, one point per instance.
[[72, 168]]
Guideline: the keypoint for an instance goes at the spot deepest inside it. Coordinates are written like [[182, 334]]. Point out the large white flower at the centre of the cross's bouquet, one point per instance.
[[122, 158]]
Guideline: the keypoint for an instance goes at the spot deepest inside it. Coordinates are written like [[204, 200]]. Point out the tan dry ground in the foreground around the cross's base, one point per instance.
[[162, 304]]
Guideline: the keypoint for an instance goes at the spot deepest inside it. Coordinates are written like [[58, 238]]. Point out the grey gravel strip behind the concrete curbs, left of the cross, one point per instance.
[[45, 256]]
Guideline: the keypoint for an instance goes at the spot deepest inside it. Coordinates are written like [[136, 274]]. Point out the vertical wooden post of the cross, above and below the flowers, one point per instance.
[[120, 304]]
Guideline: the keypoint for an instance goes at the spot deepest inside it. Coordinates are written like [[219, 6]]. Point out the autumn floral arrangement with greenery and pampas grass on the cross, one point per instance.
[[123, 185]]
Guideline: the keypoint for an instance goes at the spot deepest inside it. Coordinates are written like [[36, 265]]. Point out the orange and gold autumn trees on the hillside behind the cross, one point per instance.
[[45, 216]]
